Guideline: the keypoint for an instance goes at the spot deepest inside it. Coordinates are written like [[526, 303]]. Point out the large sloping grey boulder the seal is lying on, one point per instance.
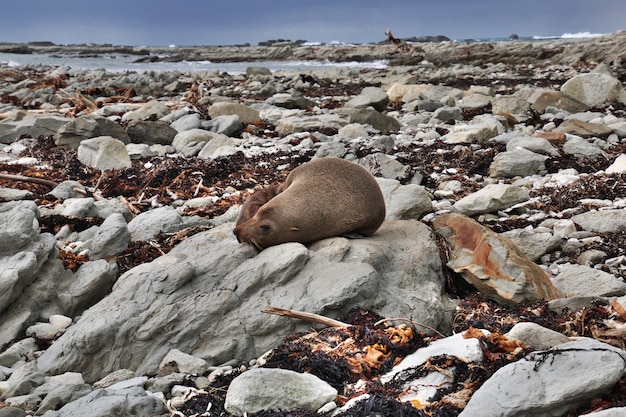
[[205, 297]]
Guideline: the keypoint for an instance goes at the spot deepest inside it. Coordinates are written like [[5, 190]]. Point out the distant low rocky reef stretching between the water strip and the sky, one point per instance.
[[555, 51]]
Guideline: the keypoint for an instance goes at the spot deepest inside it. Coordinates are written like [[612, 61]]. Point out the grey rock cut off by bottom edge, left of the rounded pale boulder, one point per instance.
[[105, 403]]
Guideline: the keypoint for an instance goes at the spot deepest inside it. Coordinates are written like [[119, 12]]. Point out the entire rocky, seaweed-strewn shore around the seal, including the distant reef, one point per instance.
[[495, 286]]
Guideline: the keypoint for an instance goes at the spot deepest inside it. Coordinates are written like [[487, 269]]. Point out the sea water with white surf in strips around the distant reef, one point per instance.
[[124, 63]]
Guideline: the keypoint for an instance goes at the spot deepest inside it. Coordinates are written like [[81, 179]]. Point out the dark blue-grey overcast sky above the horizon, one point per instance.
[[230, 22]]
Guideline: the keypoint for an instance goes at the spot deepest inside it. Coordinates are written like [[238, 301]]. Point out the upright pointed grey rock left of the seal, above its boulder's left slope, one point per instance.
[[112, 237]]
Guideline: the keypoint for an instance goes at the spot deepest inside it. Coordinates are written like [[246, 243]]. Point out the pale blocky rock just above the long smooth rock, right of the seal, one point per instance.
[[520, 162]]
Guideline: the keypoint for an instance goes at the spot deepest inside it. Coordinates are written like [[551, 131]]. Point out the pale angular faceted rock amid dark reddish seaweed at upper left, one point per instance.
[[104, 153]]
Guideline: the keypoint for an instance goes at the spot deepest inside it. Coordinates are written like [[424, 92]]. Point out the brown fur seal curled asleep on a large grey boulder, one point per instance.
[[322, 198]]
